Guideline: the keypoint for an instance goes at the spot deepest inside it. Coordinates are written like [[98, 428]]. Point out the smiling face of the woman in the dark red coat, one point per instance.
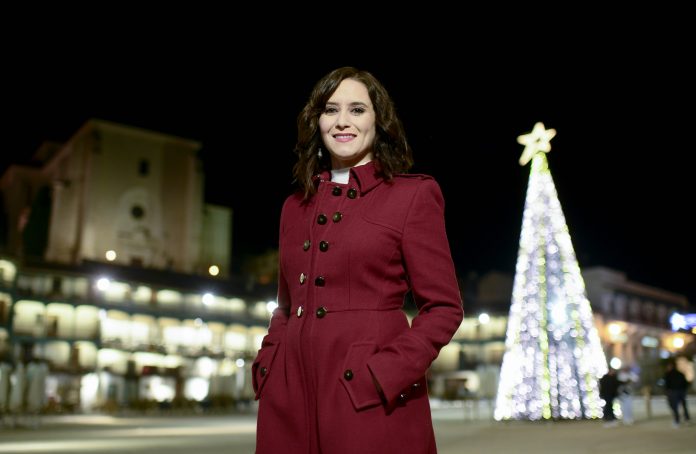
[[347, 125]]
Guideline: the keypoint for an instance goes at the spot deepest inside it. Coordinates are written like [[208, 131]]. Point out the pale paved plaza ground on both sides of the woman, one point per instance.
[[460, 427]]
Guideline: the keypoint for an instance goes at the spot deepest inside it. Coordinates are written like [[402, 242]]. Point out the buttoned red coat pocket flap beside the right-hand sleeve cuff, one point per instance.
[[357, 379]]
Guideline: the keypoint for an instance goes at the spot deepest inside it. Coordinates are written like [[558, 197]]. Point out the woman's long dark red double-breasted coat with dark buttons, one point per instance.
[[347, 258]]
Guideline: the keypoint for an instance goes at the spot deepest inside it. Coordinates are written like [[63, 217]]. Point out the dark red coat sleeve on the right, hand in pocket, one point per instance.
[[428, 262]]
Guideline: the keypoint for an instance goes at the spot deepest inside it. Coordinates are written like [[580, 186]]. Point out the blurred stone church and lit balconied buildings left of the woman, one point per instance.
[[115, 273]]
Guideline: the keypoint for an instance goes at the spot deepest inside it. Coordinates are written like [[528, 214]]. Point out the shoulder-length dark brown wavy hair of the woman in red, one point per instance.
[[391, 150]]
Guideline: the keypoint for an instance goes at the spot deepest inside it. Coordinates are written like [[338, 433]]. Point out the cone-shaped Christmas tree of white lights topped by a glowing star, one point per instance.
[[553, 356]]
